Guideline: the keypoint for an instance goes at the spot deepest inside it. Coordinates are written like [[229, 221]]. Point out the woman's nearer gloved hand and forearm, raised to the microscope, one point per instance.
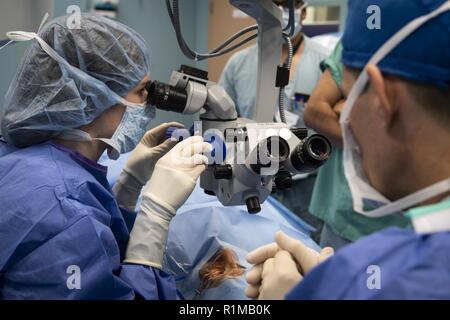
[[172, 182]]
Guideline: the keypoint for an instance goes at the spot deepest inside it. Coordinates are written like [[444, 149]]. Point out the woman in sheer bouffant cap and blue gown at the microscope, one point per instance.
[[64, 233]]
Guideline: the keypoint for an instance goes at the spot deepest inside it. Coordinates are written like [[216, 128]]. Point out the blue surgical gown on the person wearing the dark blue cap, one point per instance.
[[391, 264]]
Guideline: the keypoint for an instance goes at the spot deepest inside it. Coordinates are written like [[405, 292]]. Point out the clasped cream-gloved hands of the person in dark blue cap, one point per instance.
[[304, 257]]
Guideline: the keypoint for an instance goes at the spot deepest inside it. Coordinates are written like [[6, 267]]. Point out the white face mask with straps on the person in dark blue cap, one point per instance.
[[366, 199]]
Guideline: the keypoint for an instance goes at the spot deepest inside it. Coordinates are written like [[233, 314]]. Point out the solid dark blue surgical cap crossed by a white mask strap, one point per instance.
[[423, 57]]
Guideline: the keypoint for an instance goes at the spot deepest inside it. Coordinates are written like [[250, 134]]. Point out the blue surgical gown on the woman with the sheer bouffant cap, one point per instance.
[[57, 211]]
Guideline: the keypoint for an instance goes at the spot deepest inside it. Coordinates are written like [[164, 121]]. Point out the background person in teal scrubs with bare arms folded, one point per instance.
[[332, 200]]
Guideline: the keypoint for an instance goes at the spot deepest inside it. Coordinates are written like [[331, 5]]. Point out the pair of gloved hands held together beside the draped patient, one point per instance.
[[304, 257]]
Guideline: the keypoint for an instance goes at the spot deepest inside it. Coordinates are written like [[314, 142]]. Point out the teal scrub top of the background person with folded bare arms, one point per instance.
[[332, 200]]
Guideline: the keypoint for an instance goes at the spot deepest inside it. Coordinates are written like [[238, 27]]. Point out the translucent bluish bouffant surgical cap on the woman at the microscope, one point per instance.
[[106, 59]]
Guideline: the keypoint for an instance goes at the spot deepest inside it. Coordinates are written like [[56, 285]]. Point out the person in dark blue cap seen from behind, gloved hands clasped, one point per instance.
[[396, 137]]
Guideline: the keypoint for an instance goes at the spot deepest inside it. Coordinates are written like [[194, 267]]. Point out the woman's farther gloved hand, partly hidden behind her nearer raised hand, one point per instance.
[[139, 167]]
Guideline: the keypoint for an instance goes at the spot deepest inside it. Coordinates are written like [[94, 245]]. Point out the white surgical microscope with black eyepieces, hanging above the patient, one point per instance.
[[251, 158]]
